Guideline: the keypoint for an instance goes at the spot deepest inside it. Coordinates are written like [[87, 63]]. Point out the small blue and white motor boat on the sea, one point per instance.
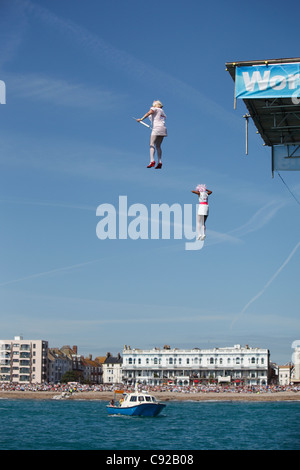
[[135, 404]]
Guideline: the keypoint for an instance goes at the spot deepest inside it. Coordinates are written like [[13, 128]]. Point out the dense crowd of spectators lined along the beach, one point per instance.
[[199, 388]]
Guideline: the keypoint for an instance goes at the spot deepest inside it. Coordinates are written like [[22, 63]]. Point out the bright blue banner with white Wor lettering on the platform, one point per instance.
[[268, 81]]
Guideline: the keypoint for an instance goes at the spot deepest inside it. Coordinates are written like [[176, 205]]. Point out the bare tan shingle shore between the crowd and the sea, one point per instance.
[[161, 396]]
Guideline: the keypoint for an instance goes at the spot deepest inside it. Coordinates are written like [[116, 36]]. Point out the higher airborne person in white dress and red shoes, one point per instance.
[[159, 131]]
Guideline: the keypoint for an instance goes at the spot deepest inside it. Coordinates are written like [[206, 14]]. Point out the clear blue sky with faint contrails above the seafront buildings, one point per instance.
[[75, 74]]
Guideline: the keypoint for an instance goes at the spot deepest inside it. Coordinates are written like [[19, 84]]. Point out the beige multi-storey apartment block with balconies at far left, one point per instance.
[[23, 361]]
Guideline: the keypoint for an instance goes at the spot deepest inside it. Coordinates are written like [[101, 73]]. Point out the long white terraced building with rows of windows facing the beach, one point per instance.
[[239, 365]]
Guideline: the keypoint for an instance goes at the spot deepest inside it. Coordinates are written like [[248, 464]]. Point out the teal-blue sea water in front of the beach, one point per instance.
[[182, 425]]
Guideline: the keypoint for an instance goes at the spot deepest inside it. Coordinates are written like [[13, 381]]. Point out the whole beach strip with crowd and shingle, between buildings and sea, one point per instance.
[[198, 393]]
